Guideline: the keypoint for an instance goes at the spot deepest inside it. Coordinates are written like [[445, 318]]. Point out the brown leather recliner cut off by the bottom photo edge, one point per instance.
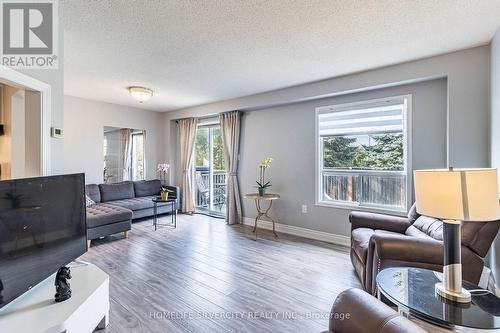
[[355, 311]]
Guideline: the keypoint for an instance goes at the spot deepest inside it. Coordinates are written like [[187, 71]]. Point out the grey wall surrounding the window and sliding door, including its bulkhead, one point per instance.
[[282, 124]]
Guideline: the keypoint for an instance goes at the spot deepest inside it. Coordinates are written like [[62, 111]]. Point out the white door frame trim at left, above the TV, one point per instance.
[[15, 78]]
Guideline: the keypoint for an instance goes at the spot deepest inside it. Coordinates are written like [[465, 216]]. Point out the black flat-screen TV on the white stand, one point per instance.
[[42, 228]]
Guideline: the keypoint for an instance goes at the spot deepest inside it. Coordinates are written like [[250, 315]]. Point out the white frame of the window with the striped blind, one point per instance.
[[407, 143]]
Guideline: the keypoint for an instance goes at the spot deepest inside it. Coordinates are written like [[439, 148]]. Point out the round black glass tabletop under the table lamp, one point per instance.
[[412, 291]]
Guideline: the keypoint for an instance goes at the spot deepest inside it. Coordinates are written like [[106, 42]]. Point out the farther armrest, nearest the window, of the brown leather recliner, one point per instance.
[[378, 221]]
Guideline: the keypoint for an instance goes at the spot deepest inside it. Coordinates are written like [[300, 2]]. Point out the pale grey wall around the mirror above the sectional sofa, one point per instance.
[[84, 122]]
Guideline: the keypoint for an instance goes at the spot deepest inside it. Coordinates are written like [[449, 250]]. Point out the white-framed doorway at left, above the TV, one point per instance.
[[25, 126]]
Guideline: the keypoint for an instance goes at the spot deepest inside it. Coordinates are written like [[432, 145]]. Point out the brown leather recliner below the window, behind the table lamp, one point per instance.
[[379, 241]]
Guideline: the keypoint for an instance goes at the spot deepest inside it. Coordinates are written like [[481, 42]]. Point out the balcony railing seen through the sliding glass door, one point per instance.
[[214, 200]]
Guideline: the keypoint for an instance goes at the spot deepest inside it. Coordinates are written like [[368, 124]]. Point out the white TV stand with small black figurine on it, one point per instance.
[[37, 312]]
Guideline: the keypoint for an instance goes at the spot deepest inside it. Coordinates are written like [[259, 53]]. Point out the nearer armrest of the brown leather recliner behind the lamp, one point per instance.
[[406, 248]]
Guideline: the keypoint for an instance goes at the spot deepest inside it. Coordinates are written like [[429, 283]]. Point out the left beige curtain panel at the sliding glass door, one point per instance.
[[187, 136]]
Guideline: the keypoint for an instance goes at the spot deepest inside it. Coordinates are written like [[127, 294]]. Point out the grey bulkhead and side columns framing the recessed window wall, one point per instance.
[[467, 74]]
